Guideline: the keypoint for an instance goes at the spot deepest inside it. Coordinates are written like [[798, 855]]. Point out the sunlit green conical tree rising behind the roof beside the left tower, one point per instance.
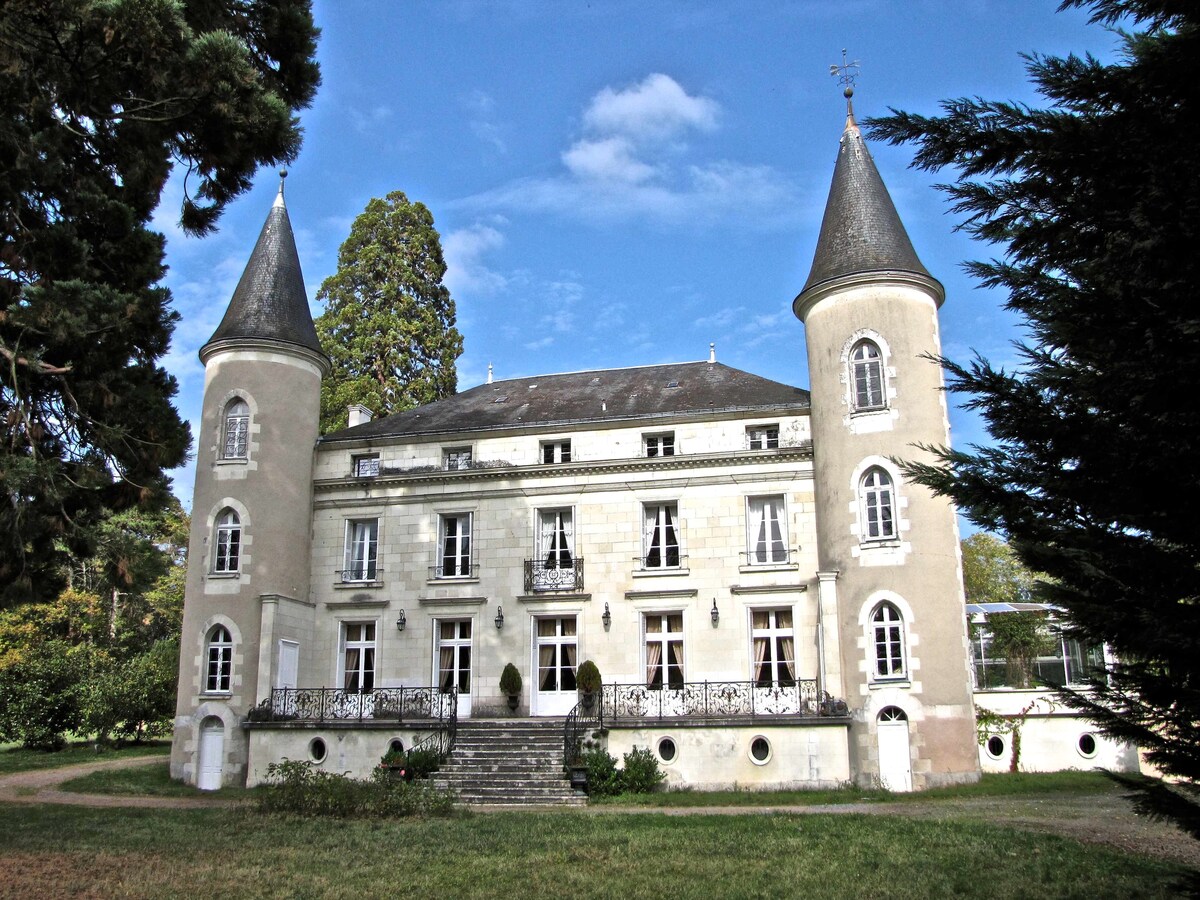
[[389, 322]]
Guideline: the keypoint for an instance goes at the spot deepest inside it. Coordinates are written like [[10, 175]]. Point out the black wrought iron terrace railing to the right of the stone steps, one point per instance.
[[717, 700]]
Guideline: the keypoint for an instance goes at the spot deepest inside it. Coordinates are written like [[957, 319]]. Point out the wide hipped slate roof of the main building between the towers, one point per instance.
[[587, 398]]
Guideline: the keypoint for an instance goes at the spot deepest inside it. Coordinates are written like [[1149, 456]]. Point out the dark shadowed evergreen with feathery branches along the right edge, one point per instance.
[[1095, 201]]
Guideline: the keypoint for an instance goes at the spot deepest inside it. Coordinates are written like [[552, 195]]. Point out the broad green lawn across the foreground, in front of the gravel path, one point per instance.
[[49, 850]]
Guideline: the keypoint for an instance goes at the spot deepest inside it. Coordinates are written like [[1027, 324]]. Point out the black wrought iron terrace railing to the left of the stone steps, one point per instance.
[[393, 705]]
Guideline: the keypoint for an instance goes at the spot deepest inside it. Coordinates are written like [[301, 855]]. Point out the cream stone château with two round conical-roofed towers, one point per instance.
[[769, 599]]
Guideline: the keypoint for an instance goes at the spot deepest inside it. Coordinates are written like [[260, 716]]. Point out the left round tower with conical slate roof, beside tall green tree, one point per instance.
[[249, 553]]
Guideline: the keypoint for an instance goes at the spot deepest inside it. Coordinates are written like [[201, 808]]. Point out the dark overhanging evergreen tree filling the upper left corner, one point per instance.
[[99, 100]]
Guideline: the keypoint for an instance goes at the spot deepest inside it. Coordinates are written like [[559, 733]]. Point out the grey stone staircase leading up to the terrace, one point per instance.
[[509, 763]]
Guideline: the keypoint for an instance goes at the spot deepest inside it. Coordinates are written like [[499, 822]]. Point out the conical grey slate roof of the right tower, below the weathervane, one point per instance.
[[861, 231]]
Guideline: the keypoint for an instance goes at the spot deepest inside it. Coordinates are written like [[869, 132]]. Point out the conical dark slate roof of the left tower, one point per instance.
[[271, 303]]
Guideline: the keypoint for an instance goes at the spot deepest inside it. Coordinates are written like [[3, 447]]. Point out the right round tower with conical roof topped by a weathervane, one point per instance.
[[889, 549]]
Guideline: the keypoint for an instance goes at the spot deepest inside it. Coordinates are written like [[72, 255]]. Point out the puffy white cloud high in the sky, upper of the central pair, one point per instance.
[[656, 110]]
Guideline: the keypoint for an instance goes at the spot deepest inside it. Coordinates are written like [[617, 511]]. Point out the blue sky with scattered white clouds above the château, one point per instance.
[[621, 184]]
